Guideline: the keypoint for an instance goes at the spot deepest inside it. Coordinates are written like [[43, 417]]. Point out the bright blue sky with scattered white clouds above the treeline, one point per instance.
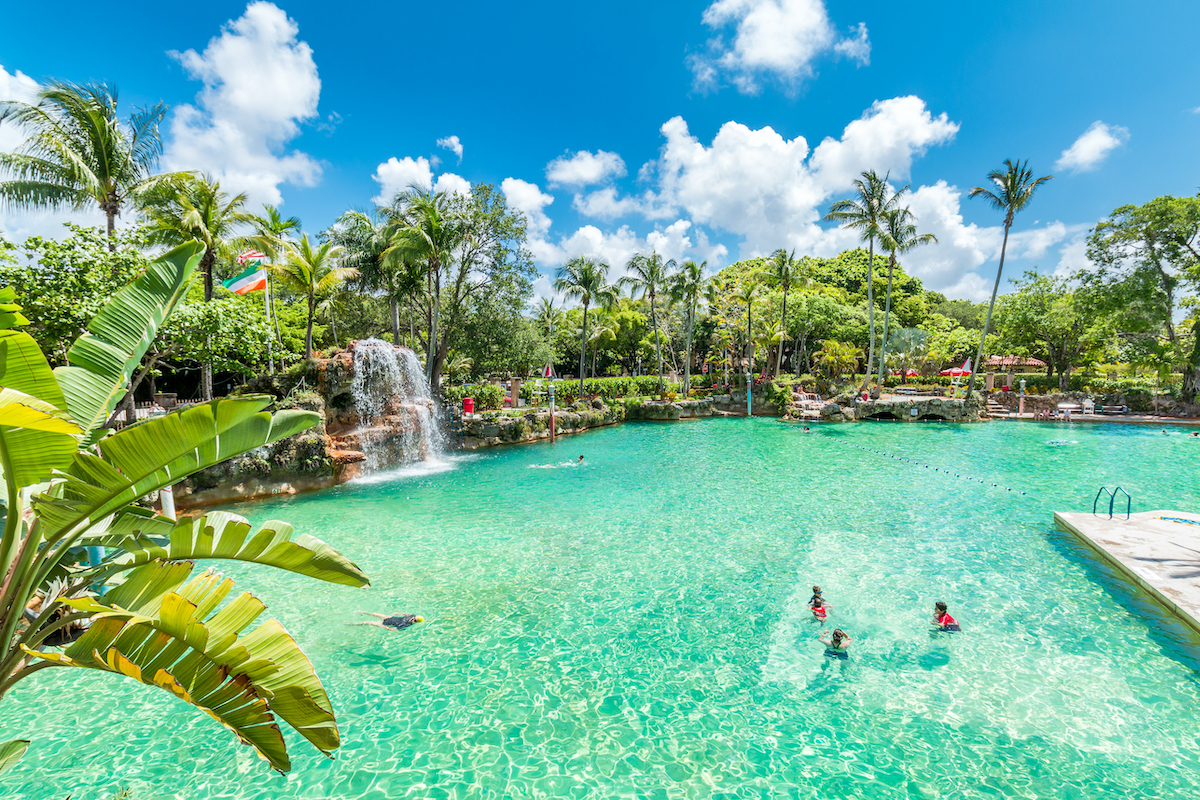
[[707, 130]]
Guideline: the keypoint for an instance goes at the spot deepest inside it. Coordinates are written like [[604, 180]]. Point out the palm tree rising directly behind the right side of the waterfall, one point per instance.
[[423, 230]]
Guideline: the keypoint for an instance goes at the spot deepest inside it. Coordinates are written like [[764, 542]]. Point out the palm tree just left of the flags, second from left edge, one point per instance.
[[196, 208]]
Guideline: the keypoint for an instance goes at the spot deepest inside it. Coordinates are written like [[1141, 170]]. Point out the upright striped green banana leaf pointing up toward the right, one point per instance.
[[103, 360]]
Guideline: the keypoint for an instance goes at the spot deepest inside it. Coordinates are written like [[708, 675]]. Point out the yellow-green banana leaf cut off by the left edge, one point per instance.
[[37, 437]]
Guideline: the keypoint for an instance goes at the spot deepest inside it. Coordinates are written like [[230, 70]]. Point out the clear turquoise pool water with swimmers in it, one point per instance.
[[637, 628]]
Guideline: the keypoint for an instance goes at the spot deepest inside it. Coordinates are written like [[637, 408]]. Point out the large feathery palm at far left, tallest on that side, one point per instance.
[[80, 154]]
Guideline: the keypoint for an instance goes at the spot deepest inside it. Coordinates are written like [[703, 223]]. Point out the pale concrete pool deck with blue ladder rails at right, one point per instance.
[[1161, 556]]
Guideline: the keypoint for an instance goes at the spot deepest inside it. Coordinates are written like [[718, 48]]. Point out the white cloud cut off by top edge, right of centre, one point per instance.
[[778, 38]]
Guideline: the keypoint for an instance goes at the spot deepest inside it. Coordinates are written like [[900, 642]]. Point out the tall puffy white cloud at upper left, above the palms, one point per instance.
[[260, 83]]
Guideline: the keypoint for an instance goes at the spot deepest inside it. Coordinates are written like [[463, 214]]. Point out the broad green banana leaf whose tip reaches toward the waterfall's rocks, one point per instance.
[[147, 458]]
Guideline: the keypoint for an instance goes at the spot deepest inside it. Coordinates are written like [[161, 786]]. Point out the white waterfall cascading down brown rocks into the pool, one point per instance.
[[398, 416]]
